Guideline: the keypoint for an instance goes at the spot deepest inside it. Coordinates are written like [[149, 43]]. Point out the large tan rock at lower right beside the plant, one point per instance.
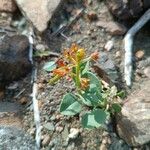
[[133, 124]]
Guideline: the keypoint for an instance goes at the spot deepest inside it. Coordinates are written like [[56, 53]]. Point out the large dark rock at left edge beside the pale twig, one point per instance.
[[14, 63]]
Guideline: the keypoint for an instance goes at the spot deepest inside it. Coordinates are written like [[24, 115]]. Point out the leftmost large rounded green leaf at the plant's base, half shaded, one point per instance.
[[70, 105]]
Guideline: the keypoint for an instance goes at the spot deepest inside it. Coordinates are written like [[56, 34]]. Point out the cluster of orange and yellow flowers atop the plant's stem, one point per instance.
[[73, 58]]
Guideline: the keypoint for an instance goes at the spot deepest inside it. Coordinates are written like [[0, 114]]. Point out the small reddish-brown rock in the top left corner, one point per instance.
[[7, 6]]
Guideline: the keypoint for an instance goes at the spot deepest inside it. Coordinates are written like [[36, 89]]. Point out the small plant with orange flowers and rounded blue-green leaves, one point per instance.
[[89, 89]]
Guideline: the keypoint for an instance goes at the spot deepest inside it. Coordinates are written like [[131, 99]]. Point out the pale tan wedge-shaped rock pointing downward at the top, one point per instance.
[[38, 12]]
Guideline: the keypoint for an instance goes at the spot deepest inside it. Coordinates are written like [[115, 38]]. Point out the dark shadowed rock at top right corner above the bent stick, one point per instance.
[[127, 9]]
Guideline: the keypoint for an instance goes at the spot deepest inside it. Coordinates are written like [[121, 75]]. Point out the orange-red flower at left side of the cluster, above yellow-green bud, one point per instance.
[[61, 71]]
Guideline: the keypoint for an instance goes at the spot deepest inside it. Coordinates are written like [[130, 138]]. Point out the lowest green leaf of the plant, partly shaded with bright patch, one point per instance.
[[94, 119]]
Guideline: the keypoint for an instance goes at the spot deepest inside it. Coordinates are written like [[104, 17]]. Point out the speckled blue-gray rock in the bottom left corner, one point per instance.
[[12, 138]]
